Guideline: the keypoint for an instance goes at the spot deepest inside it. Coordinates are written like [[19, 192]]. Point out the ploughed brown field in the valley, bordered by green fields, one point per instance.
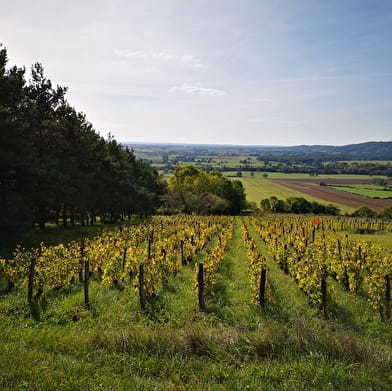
[[310, 188]]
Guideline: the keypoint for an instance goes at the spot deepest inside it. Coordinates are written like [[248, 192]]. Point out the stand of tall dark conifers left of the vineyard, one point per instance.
[[54, 166]]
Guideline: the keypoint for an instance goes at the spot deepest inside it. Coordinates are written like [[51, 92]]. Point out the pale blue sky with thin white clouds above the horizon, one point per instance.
[[246, 72]]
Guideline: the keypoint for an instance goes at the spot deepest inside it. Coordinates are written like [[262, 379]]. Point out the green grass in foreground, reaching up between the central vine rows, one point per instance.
[[233, 345]]
